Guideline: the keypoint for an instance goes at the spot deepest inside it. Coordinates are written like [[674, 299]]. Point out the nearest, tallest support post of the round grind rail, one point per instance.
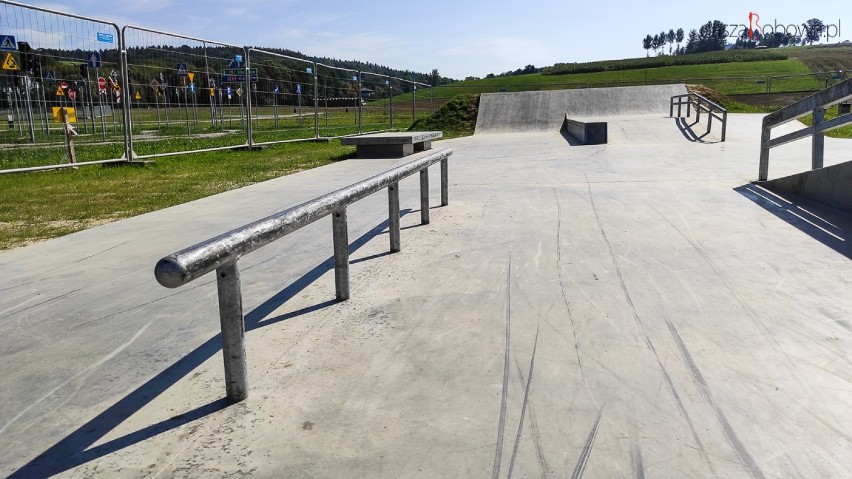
[[233, 332]]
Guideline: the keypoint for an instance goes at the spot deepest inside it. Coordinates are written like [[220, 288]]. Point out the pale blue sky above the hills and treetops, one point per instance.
[[459, 38]]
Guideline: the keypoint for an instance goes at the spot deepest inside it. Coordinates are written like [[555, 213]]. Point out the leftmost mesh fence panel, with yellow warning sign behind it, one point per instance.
[[53, 60]]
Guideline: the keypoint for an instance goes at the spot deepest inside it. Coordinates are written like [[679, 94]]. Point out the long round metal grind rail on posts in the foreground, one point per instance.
[[222, 252]]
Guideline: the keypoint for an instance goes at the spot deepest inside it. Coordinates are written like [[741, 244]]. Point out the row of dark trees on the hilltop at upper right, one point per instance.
[[714, 35]]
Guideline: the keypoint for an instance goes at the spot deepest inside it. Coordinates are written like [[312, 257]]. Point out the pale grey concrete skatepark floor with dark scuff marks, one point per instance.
[[632, 309]]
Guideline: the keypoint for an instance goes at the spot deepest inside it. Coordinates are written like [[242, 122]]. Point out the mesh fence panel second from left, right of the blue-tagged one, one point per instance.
[[185, 88]]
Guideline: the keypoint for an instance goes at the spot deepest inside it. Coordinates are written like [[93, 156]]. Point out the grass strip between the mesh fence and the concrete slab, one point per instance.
[[45, 205]]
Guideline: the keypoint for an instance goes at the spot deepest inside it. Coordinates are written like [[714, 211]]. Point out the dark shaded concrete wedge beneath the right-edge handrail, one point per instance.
[[829, 185]]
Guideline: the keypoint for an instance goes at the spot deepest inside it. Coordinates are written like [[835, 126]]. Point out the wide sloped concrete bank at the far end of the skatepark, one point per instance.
[[546, 110]]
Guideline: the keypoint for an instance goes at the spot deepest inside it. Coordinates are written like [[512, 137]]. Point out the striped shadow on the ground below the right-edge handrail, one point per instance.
[[827, 225]]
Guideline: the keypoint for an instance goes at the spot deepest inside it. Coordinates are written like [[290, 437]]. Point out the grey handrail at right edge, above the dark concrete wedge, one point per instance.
[[816, 104]]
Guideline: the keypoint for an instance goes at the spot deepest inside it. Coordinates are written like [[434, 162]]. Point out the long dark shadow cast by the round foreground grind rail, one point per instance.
[[76, 448]]
